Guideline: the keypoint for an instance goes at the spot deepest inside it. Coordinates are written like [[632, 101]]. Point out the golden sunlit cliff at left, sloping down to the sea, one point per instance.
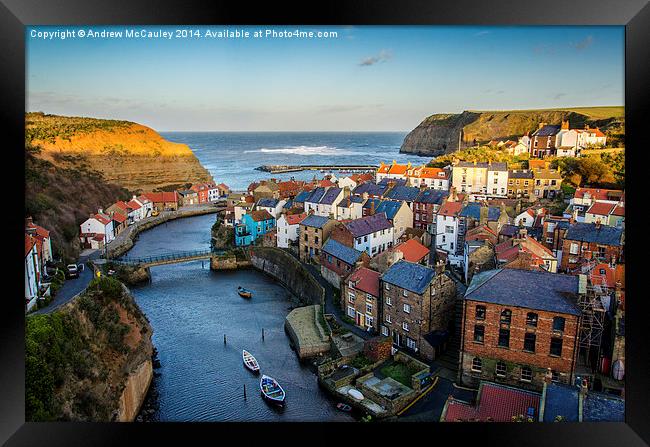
[[128, 154]]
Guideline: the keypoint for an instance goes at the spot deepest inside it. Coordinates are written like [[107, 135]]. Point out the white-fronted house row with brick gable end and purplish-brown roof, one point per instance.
[[372, 234]]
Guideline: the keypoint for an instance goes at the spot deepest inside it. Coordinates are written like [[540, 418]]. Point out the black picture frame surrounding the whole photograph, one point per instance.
[[633, 14]]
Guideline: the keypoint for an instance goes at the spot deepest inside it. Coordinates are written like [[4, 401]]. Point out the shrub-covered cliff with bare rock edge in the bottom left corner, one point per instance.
[[89, 360]]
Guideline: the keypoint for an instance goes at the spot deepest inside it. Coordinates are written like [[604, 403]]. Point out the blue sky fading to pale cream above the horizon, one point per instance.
[[366, 78]]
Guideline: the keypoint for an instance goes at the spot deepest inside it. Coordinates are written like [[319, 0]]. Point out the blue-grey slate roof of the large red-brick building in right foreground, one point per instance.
[[540, 290]]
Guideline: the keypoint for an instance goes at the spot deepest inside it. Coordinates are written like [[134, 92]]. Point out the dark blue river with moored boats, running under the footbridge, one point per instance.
[[190, 309]]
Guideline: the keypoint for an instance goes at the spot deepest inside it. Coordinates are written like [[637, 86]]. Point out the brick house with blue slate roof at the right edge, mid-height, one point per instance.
[[584, 241]]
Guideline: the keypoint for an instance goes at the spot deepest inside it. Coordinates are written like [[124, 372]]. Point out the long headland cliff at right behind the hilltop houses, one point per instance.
[[444, 133]]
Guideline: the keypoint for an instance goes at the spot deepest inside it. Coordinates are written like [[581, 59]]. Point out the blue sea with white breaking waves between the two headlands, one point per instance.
[[231, 157]]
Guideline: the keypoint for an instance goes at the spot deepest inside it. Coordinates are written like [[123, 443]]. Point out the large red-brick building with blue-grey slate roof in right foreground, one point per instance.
[[518, 323]]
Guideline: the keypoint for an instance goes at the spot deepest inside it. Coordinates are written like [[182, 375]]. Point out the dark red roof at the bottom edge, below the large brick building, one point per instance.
[[499, 403]]
